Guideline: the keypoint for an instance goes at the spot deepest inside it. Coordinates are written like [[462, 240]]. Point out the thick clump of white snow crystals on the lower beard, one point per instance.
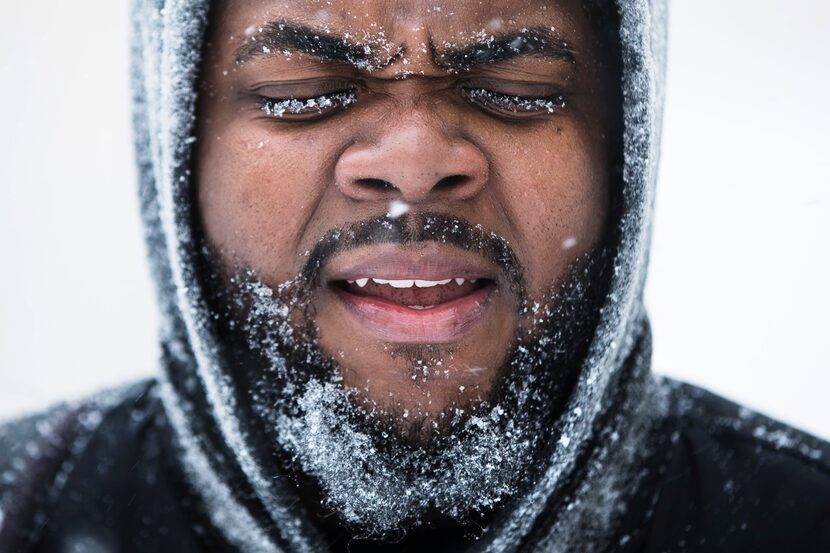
[[376, 490]]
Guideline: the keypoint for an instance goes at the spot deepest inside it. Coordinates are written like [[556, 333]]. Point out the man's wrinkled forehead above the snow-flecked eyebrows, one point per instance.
[[409, 24]]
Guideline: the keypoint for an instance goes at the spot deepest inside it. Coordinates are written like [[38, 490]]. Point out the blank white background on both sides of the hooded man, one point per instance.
[[738, 290]]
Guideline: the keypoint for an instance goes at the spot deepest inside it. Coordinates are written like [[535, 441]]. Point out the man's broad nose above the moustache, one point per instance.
[[415, 161]]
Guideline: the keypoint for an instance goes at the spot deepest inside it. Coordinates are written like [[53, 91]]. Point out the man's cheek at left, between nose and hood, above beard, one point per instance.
[[257, 192]]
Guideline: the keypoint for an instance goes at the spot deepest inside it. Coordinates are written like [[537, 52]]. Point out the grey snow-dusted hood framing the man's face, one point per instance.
[[593, 468]]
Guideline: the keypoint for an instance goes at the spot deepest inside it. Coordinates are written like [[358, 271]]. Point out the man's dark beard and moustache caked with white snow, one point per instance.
[[381, 469]]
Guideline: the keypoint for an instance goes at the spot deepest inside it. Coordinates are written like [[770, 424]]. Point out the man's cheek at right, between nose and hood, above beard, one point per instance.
[[555, 194]]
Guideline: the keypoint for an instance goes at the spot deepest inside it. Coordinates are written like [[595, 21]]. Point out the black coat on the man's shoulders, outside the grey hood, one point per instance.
[[724, 479]]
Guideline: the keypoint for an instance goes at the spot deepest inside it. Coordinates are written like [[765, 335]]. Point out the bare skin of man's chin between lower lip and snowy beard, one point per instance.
[[418, 380]]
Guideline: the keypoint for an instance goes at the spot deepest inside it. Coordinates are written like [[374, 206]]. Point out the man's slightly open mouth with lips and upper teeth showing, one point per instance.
[[404, 298]]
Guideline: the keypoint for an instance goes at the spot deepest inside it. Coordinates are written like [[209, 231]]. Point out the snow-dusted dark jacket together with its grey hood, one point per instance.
[[641, 463]]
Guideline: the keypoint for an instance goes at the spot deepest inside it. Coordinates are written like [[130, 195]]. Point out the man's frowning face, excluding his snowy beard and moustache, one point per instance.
[[317, 116]]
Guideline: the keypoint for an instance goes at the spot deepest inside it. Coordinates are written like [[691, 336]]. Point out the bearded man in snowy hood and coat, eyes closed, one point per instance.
[[400, 250]]
